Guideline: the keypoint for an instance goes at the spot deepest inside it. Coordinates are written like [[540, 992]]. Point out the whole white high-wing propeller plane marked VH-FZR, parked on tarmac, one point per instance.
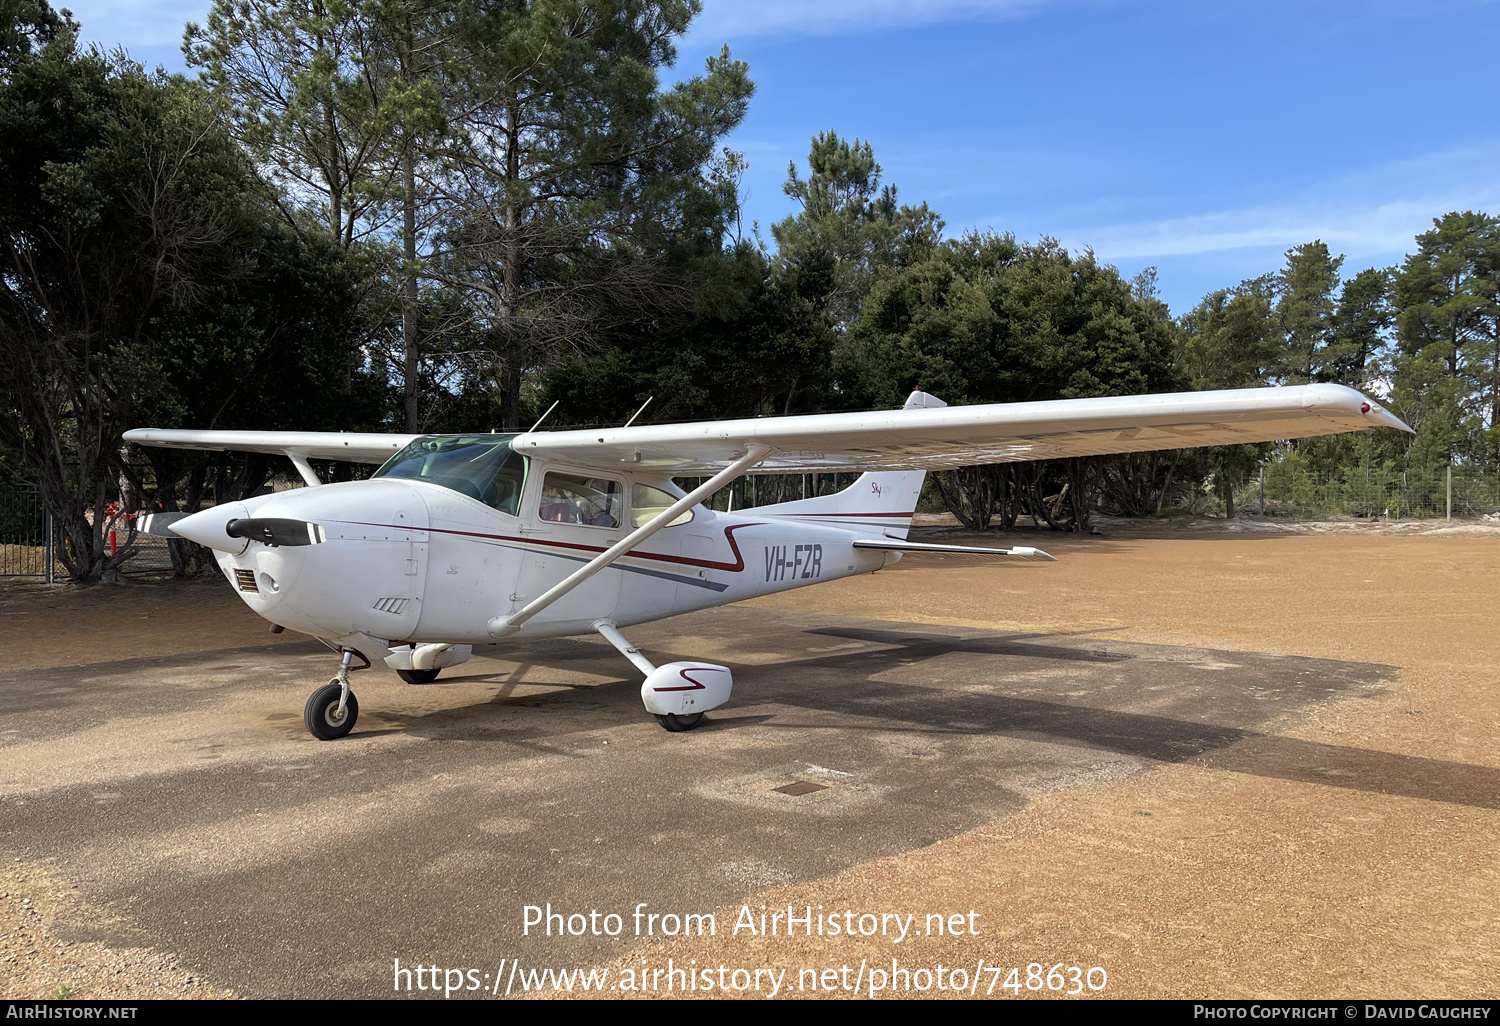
[[467, 539]]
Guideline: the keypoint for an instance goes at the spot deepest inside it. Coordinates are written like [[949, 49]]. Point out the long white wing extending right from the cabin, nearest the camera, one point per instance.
[[965, 436]]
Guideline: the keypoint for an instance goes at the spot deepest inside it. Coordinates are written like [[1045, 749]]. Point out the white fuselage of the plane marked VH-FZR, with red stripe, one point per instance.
[[412, 562]]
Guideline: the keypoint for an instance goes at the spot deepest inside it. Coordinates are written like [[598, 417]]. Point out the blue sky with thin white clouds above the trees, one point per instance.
[[1204, 137]]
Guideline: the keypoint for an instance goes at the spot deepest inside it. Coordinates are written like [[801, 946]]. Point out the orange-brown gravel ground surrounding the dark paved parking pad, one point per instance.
[[1184, 881]]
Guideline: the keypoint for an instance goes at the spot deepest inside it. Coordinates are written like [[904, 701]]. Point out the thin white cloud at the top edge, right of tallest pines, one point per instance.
[[740, 19]]
